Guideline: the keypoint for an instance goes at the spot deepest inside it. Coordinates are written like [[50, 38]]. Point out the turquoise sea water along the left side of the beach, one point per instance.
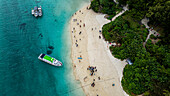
[[23, 37]]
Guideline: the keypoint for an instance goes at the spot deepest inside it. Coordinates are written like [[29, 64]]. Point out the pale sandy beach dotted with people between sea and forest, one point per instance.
[[94, 52]]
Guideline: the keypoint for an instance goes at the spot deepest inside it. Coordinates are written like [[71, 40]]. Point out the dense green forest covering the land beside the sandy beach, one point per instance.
[[150, 73]]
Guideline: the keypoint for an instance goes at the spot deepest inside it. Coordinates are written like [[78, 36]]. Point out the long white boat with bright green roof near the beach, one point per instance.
[[49, 59]]
